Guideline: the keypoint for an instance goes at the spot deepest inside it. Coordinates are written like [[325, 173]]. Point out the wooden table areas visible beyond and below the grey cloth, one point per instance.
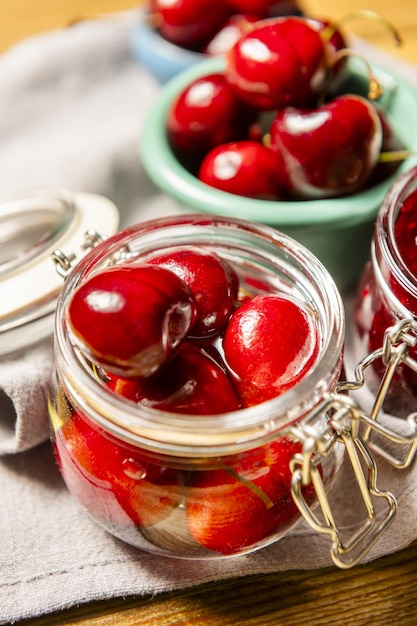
[[383, 592]]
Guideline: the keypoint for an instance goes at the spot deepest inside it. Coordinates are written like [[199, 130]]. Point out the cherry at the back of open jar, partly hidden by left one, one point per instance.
[[211, 281]]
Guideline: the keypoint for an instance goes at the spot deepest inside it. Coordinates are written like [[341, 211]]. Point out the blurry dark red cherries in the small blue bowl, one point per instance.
[[211, 27]]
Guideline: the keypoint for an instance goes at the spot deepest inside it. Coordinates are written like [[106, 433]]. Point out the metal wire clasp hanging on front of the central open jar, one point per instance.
[[320, 436]]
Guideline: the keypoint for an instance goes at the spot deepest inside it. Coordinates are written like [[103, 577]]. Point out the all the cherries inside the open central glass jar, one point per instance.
[[182, 333]]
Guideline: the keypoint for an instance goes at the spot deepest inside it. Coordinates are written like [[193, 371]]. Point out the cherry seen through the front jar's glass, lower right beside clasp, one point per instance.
[[231, 509]]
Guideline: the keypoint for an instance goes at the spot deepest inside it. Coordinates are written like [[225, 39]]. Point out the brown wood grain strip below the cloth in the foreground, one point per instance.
[[382, 593]]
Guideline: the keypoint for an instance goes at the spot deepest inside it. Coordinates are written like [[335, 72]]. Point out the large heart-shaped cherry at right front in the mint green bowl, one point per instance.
[[329, 151]]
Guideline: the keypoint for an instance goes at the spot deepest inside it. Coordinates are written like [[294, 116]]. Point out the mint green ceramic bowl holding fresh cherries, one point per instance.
[[338, 231]]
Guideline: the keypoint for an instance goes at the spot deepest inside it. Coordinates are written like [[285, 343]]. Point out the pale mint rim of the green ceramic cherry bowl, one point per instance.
[[170, 176]]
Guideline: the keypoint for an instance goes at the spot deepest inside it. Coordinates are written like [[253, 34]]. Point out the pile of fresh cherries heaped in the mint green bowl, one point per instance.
[[274, 126]]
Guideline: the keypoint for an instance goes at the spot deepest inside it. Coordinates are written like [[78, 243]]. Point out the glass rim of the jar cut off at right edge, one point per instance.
[[387, 259]]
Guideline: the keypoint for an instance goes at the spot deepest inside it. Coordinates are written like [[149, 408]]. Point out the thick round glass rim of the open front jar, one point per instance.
[[296, 269]]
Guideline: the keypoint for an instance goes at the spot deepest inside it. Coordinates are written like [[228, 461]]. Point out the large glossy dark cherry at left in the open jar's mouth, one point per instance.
[[131, 318]]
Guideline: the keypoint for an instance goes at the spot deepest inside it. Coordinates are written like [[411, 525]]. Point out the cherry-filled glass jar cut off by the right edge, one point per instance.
[[386, 303]]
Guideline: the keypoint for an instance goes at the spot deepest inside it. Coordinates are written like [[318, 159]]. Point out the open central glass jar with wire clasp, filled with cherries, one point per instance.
[[219, 485]]
